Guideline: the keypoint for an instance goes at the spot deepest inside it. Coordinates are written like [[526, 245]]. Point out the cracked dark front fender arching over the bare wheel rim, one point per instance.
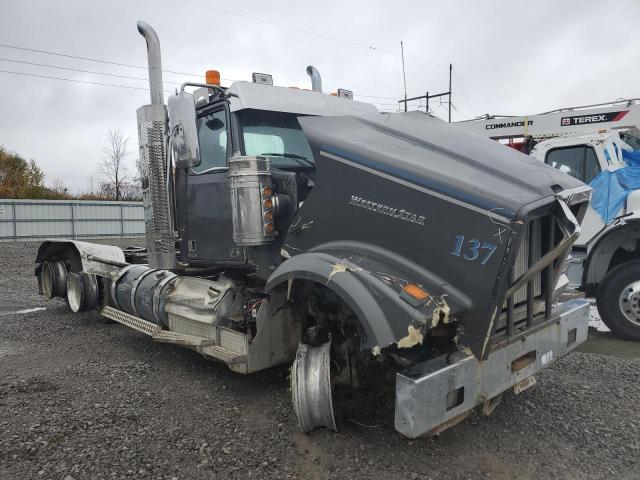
[[370, 280]]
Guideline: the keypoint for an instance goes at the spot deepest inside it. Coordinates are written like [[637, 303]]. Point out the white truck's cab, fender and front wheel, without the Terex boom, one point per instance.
[[606, 257]]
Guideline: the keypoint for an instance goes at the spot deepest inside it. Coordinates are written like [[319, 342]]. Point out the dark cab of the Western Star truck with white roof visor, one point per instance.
[[249, 119]]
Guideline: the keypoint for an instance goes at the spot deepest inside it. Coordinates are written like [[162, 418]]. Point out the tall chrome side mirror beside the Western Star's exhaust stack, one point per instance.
[[183, 130]]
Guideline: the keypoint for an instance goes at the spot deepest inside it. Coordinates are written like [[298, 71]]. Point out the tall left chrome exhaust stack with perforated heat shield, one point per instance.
[[152, 137]]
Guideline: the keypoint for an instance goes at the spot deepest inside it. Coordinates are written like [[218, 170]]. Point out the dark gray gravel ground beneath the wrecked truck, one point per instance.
[[81, 399]]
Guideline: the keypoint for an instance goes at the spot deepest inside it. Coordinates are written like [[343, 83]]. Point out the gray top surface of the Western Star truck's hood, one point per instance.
[[440, 157]]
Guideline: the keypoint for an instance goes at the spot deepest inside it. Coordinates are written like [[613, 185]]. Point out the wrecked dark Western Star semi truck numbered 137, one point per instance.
[[287, 226]]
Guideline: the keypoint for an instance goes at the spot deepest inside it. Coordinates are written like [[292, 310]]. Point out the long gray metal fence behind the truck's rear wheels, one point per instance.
[[37, 219]]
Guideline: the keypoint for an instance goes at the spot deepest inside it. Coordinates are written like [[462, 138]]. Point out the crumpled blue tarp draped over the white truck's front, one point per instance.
[[611, 189]]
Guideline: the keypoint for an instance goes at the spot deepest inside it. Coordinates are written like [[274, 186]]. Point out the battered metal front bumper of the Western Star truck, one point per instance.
[[434, 394]]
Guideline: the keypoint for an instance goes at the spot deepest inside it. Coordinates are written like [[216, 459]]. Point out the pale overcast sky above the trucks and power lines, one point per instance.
[[509, 57]]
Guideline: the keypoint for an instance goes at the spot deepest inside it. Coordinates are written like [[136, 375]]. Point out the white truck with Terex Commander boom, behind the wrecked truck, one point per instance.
[[583, 142]]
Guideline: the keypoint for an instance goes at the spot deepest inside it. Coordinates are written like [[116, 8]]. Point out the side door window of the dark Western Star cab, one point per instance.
[[212, 136]]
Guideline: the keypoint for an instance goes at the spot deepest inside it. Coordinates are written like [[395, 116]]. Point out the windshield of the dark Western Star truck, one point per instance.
[[277, 135]]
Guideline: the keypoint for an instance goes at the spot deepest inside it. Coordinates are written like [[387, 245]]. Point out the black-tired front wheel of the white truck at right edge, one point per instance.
[[618, 300]]
